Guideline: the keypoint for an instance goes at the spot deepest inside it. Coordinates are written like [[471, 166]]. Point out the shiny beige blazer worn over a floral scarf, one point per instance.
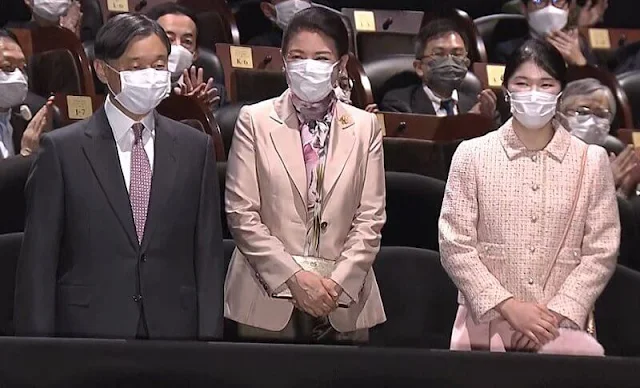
[[266, 212]]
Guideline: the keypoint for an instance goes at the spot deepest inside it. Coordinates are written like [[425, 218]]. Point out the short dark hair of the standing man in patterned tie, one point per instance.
[[118, 32]]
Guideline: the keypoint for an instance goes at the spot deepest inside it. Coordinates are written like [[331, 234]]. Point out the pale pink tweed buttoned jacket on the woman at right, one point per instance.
[[504, 212]]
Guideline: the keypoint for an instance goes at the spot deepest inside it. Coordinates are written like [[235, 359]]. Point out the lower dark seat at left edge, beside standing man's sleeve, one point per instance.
[[9, 253]]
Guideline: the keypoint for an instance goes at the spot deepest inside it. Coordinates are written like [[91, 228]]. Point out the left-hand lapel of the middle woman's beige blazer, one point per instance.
[[288, 144]]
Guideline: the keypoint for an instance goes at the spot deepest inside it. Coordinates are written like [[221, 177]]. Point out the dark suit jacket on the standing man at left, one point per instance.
[[82, 272]]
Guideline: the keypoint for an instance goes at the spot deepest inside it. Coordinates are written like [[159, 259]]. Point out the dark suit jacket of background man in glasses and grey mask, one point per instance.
[[413, 99]]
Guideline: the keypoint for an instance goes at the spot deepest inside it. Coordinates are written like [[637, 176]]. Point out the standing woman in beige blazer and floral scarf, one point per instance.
[[305, 200]]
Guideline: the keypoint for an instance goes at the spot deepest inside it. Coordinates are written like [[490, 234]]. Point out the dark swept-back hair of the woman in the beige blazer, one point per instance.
[[318, 19]]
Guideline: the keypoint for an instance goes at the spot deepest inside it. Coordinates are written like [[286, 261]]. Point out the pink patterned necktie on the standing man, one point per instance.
[[140, 185]]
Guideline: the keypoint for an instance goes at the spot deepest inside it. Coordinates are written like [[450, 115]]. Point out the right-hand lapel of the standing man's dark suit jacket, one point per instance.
[[165, 166]]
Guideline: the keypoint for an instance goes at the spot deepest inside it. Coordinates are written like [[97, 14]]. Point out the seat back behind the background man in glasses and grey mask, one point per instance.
[[398, 72]]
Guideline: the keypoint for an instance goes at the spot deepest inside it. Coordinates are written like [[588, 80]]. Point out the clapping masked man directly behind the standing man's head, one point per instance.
[[187, 78]]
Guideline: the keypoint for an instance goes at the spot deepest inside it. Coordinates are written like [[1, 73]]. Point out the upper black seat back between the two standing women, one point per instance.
[[413, 209]]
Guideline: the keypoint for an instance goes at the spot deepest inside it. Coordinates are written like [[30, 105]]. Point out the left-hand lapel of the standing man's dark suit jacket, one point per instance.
[[100, 149]]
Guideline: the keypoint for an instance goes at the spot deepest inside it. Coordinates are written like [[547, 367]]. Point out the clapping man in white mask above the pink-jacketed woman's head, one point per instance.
[[548, 20]]
